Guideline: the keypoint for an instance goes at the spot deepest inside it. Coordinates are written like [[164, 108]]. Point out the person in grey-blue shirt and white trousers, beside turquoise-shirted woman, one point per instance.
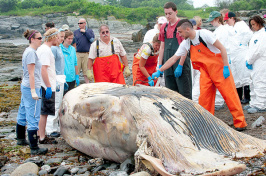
[[52, 126]]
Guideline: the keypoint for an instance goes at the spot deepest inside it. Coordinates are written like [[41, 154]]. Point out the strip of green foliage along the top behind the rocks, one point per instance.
[[132, 11]]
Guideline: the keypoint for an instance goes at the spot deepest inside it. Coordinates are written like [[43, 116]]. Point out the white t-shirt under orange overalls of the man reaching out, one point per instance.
[[206, 35]]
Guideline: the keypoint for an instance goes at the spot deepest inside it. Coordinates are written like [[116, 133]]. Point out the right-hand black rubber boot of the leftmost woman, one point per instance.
[[34, 148]]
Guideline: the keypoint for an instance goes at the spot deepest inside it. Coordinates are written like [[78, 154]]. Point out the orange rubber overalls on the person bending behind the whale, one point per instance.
[[138, 76]]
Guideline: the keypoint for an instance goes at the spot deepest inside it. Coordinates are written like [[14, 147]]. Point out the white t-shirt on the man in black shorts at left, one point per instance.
[[46, 57]]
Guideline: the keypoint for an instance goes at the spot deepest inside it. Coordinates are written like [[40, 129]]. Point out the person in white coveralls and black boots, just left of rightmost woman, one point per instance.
[[240, 36]]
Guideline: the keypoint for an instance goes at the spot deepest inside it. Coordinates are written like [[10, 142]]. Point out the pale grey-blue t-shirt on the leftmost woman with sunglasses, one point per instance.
[[30, 57]]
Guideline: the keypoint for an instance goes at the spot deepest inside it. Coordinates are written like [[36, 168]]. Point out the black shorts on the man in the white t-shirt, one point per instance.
[[48, 105]]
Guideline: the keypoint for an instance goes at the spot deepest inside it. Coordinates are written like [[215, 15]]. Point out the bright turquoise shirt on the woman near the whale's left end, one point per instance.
[[70, 62]]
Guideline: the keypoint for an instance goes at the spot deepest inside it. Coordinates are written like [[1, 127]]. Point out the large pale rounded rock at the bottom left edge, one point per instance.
[[25, 168]]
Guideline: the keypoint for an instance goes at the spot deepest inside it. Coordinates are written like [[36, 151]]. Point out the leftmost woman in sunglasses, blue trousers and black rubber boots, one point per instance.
[[30, 106]]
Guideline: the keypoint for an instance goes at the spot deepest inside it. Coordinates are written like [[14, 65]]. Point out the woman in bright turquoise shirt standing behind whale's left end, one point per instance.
[[71, 63]]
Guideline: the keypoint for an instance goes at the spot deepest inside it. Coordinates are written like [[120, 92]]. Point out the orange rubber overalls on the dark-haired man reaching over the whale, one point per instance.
[[211, 66]]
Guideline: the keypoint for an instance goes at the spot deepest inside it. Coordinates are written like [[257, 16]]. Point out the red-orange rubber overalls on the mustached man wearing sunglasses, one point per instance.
[[108, 68]]
